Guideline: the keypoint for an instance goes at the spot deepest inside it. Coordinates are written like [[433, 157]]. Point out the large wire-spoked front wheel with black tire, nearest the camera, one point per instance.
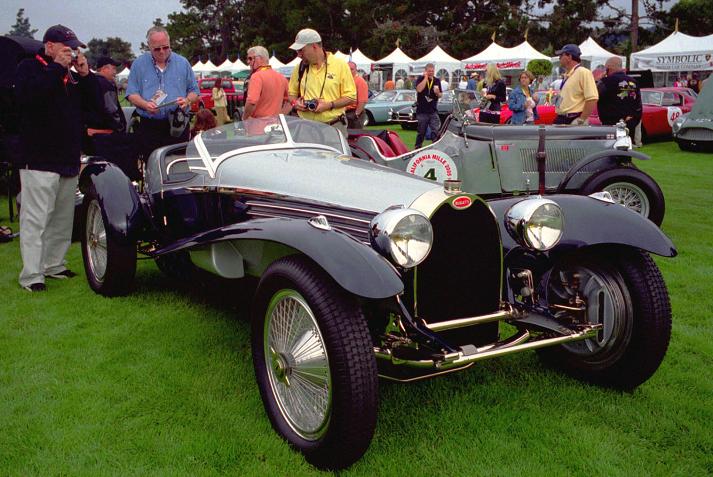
[[349, 365]]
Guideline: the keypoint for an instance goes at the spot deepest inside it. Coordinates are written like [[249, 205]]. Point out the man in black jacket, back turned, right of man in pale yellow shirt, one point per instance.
[[619, 96]]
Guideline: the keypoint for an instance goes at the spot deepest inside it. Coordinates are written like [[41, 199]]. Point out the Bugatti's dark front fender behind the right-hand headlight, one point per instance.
[[589, 221]]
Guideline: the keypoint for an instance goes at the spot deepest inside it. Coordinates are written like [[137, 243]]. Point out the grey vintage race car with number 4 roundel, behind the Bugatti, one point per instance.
[[503, 160]]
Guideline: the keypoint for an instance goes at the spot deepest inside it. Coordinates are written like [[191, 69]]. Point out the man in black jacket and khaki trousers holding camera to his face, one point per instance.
[[50, 98]]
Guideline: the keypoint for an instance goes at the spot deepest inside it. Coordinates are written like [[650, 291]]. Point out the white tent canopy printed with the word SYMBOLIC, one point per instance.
[[676, 52]]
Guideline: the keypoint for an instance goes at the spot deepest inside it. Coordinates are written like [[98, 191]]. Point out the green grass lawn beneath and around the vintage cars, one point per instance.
[[161, 382]]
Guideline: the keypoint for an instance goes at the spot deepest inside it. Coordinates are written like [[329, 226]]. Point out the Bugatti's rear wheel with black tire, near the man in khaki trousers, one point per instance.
[[116, 277]]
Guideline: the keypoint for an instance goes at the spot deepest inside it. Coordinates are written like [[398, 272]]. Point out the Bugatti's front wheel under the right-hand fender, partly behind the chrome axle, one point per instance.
[[629, 288]]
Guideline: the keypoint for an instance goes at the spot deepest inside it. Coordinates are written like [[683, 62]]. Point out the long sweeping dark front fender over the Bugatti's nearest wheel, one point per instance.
[[354, 266]]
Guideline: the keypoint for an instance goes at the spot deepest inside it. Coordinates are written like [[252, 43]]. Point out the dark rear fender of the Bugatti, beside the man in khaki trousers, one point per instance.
[[123, 215]]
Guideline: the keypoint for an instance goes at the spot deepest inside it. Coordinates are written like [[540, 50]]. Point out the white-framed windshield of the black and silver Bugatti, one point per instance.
[[274, 132]]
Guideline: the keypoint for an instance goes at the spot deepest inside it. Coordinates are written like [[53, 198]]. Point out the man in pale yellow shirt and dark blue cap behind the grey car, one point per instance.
[[578, 93]]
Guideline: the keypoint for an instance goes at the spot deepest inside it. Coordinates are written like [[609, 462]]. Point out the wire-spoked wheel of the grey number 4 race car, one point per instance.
[[632, 188]]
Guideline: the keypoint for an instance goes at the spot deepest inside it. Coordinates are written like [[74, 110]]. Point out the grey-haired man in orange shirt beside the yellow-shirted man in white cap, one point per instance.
[[267, 90]]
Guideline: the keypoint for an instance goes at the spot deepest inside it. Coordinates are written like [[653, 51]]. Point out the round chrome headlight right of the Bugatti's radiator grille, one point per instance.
[[535, 223]]
